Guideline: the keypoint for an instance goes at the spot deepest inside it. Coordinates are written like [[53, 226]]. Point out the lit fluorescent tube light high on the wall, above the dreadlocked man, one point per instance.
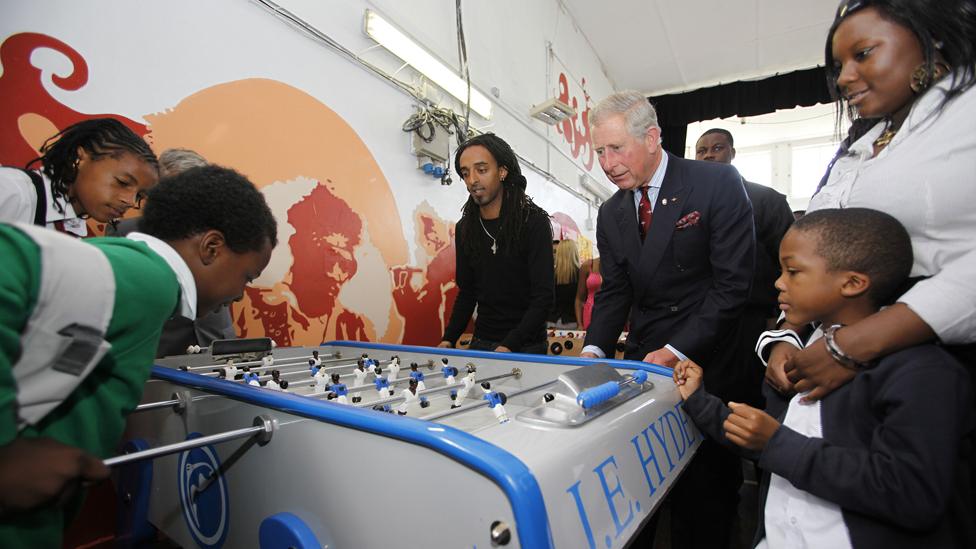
[[416, 56]]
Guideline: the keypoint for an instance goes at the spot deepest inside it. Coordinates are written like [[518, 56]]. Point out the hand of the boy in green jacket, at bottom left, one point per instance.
[[40, 471]]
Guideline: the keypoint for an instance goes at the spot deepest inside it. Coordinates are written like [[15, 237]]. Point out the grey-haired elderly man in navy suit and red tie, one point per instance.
[[677, 251]]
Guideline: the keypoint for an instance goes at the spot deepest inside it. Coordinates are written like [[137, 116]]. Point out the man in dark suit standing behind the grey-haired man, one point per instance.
[[773, 217]]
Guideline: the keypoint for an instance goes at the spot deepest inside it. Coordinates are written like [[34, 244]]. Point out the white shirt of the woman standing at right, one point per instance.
[[925, 179]]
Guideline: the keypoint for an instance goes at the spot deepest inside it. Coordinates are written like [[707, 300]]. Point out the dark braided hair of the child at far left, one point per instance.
[[98, 137]]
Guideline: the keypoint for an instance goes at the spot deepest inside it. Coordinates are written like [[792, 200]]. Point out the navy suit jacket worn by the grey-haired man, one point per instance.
[[683, 287]]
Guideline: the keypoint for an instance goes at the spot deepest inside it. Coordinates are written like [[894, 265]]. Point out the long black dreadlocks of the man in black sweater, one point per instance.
[[517, 207]]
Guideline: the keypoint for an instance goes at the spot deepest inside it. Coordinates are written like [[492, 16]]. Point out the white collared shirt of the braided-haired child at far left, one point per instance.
[[18, 202]]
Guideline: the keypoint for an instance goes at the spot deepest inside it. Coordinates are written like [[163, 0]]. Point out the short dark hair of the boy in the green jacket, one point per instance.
[[210, 197]]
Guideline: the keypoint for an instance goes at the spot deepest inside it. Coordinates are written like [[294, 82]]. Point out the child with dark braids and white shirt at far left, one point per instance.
[[96, 168]]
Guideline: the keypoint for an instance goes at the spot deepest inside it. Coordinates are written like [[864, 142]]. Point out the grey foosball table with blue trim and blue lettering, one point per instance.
[[370, 445]]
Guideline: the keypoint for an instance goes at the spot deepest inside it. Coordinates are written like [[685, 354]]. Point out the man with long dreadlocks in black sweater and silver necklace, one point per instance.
[[504, 254]]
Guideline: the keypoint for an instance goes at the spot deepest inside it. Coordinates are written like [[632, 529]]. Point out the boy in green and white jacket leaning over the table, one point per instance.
[[79, 326]]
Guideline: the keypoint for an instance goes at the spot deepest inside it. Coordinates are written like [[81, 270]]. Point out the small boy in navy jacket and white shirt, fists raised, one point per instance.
[[884, 460]]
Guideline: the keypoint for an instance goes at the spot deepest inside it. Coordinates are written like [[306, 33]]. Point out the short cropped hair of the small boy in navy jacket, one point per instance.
[[863, 240]]
